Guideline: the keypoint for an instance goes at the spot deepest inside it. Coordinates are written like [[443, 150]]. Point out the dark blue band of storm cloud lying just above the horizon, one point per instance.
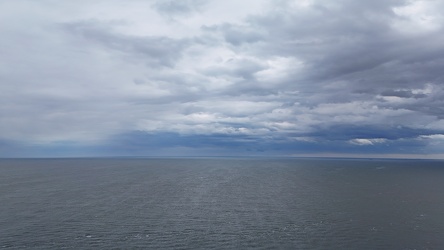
[[141, 143]]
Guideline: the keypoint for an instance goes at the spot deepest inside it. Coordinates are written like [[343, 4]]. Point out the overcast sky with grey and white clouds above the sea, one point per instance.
[[222, 78]]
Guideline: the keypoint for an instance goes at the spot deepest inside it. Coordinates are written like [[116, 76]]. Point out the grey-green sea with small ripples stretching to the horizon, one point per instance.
[[221, 203]]
